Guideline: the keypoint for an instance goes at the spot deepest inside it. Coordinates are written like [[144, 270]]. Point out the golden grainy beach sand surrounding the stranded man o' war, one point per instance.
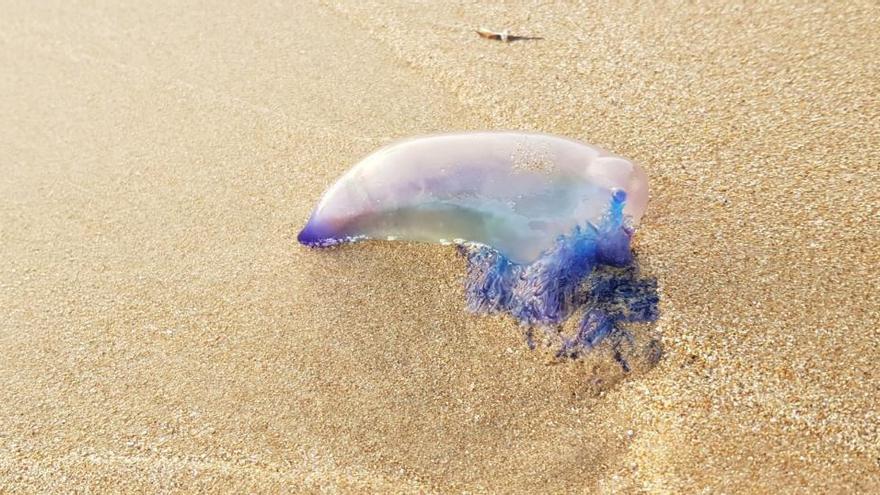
[[161, 330]]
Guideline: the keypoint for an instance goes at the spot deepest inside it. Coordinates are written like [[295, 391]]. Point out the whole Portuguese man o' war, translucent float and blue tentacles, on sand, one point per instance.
[[544, 223]]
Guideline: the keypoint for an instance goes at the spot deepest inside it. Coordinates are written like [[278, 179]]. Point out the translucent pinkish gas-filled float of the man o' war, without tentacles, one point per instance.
[[515, 192]]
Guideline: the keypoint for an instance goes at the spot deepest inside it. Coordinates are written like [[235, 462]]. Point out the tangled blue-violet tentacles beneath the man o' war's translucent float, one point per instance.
[[591, 269]]
